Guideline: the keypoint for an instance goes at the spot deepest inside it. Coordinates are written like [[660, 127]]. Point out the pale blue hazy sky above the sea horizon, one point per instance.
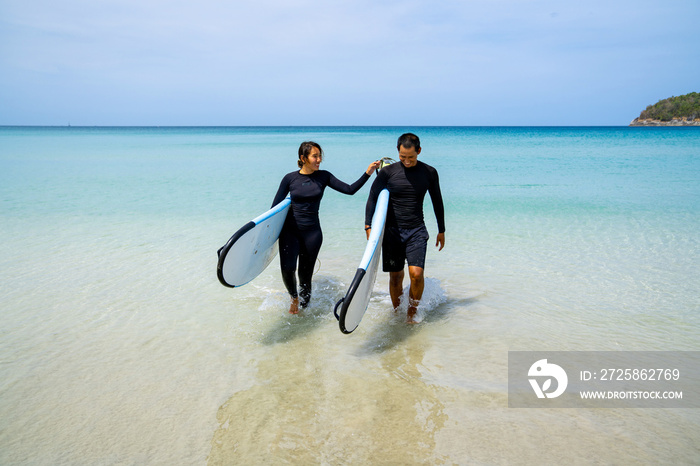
[[343, 62]]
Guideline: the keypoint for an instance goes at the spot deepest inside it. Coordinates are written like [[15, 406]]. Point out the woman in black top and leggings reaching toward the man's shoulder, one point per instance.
[[301, 236]]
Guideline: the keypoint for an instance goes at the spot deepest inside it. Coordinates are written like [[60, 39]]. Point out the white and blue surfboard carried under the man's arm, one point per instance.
[[356, 300]]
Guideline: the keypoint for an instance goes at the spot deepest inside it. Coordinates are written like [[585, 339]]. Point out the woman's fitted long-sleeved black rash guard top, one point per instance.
[[306, 192]]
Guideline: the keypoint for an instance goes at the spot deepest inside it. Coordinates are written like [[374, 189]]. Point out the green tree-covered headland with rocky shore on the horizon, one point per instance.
[[683, 110]]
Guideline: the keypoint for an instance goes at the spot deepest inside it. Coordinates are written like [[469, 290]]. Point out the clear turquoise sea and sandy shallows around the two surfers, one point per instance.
[[118, 345]]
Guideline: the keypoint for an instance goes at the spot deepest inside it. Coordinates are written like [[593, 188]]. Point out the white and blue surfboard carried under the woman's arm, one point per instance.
[[251, 249]]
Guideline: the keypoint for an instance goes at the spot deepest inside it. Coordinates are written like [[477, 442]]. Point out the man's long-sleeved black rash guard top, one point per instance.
[[407, 188]]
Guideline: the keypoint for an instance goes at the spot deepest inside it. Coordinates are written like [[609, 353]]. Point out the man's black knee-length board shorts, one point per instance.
[[402, 245]]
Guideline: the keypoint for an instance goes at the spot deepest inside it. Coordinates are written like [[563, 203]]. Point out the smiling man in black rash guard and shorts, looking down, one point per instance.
[[405, 234]]
